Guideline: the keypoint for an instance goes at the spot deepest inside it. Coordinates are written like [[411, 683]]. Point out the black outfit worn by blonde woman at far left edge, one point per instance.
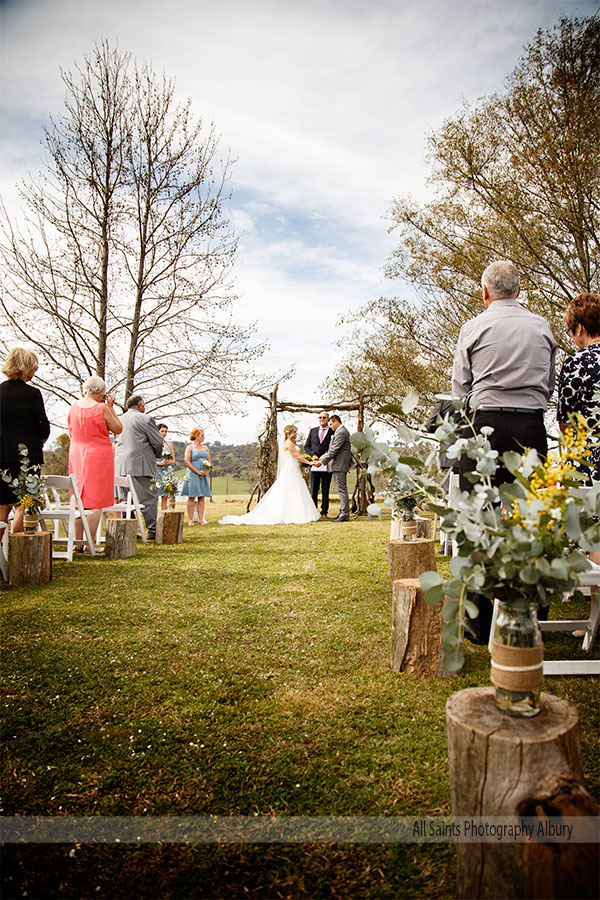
[[23, 420]]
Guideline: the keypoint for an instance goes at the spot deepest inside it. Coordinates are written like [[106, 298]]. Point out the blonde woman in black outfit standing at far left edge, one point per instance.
[[24, 421]]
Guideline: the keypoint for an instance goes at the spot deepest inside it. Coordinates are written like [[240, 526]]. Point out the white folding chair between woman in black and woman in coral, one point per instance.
[[64, 515]]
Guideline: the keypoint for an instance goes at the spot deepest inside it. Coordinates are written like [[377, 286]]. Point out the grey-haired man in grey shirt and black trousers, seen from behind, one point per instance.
[[505, 359]]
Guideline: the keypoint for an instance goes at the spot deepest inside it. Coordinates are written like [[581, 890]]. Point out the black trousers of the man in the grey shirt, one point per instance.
[[513, 430]]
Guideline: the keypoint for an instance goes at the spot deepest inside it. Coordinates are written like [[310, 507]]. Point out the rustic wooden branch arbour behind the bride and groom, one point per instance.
[[268, 446]]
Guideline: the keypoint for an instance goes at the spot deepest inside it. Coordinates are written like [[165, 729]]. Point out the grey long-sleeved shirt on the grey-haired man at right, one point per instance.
[[505, 357]]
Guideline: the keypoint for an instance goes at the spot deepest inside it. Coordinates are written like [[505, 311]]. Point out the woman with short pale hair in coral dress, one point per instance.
[[91, 457]]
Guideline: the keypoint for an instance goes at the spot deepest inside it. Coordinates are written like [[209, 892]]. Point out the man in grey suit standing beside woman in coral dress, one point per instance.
[[136, 450]]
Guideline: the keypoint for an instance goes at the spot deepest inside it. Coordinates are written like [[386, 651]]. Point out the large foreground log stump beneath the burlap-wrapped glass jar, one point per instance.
[[505, 766]]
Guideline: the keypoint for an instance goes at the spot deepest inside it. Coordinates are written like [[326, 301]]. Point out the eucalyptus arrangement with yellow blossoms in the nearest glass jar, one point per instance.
[[525, 541]]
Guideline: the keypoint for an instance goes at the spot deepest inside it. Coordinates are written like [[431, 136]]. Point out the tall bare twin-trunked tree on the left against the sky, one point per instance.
[[122, 262]]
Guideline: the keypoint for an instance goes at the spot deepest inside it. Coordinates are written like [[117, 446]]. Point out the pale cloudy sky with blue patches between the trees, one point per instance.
[[325, 106]]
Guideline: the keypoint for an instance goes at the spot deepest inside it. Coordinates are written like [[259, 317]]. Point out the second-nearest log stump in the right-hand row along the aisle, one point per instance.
[[416, 632]]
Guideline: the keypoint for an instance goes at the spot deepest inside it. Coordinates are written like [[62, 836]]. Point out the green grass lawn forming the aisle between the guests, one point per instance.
[[244, 671]]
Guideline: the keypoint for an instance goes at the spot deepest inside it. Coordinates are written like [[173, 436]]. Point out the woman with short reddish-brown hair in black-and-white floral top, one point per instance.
[[579, 383]]
